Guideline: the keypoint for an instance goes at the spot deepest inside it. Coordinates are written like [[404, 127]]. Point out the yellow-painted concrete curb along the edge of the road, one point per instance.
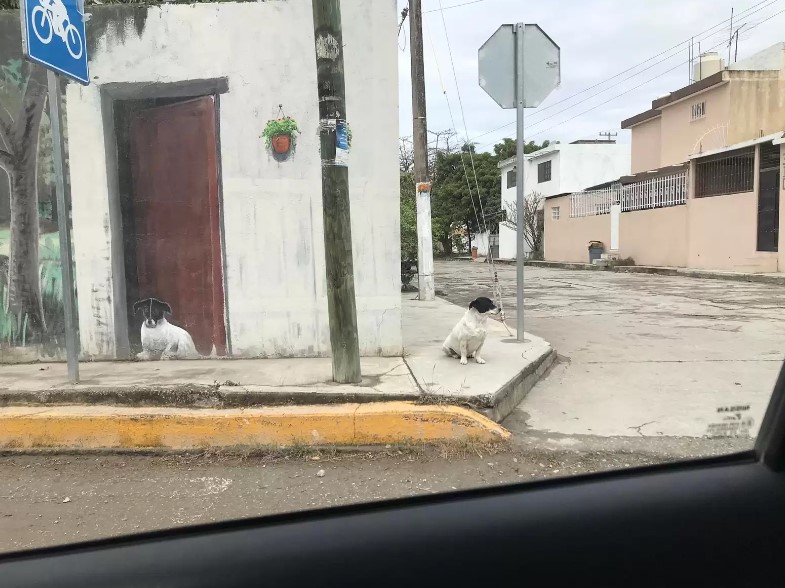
[[111, 427]]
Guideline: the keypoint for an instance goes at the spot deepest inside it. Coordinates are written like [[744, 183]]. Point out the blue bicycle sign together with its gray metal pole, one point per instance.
[[53, 35]]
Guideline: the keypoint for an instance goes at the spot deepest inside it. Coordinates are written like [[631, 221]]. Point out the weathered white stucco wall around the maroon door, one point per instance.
[[273, 237]]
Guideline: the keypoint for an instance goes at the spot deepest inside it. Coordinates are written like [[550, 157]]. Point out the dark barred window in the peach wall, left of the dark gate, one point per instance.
[[726, 173]]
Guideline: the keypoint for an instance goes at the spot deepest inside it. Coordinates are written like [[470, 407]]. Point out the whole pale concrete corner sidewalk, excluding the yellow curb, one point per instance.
[[423, 373]]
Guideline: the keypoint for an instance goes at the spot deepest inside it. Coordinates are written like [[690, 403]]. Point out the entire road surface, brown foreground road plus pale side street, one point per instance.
[[645, 361]]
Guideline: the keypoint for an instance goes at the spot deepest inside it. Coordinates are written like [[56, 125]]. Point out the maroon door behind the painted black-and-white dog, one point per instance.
[[178, 244]]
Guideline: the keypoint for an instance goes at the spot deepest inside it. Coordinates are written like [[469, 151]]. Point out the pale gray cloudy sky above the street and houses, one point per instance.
[[598, 39]]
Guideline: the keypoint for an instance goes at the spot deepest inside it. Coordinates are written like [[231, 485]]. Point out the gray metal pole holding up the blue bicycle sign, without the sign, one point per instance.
[[63, 191]]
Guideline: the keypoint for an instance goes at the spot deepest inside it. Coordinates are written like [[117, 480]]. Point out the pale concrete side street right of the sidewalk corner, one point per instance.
[[639, 354]]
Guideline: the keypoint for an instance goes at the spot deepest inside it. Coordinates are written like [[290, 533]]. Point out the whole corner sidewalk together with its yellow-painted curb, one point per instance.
[[224, 403]]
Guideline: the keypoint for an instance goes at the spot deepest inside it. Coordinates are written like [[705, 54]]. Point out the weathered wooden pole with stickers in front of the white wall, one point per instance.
[[341, 305]]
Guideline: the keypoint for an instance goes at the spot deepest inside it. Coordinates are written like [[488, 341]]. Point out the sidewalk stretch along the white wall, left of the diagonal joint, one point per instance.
[[205, 383]]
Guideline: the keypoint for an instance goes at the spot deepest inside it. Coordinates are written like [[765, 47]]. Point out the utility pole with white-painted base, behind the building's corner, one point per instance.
[[420, 142]]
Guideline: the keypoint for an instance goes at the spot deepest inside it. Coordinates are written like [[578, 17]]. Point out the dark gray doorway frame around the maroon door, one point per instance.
[[119, 100]]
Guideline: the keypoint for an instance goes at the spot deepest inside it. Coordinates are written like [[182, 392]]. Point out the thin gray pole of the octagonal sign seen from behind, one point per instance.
[[519, 167]]
